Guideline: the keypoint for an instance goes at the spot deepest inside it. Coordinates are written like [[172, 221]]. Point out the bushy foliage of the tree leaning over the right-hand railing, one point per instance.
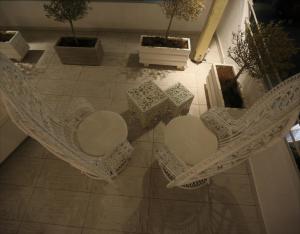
[[266, 50]]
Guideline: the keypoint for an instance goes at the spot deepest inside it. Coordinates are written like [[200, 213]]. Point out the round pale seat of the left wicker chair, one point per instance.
[[101, 132]]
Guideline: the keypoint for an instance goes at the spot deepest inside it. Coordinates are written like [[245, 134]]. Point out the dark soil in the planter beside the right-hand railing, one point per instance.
[[230, 88]]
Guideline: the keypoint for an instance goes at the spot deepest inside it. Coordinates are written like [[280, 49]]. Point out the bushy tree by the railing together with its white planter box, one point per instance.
[[263, 52]]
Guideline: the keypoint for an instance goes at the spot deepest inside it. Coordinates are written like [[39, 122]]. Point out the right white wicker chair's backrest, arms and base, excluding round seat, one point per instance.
[[267, 120]]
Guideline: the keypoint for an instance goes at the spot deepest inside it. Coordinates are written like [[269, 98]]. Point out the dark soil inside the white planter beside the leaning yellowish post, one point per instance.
[[162, 42]]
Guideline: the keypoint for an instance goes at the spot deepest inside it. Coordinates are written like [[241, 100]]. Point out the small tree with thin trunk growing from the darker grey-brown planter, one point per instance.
[[67, 10]]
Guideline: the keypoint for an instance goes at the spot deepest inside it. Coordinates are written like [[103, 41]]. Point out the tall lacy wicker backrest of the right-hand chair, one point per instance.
[[266, 121]]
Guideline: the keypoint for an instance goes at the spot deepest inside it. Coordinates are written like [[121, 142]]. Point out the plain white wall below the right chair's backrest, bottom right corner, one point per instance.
[[278, 189]]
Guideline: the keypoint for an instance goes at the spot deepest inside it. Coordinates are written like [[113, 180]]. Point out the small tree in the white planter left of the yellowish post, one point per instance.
[[181, 9]]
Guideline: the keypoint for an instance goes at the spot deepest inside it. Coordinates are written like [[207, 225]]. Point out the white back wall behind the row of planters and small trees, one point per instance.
[[104, 15]]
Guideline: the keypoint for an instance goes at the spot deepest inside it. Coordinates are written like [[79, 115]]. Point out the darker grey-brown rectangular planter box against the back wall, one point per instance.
[[80, 55]]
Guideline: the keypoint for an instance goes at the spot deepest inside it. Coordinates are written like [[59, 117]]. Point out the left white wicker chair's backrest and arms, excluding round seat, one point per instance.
[[56, 132]]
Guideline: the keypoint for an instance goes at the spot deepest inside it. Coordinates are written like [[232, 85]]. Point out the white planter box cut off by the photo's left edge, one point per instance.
[[16, 48]]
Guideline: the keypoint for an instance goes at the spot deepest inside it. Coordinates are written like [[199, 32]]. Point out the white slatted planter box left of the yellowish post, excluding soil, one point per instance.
[[164, 55]]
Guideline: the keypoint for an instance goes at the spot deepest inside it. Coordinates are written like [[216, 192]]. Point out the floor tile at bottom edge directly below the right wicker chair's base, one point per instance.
[[172, 217]]
